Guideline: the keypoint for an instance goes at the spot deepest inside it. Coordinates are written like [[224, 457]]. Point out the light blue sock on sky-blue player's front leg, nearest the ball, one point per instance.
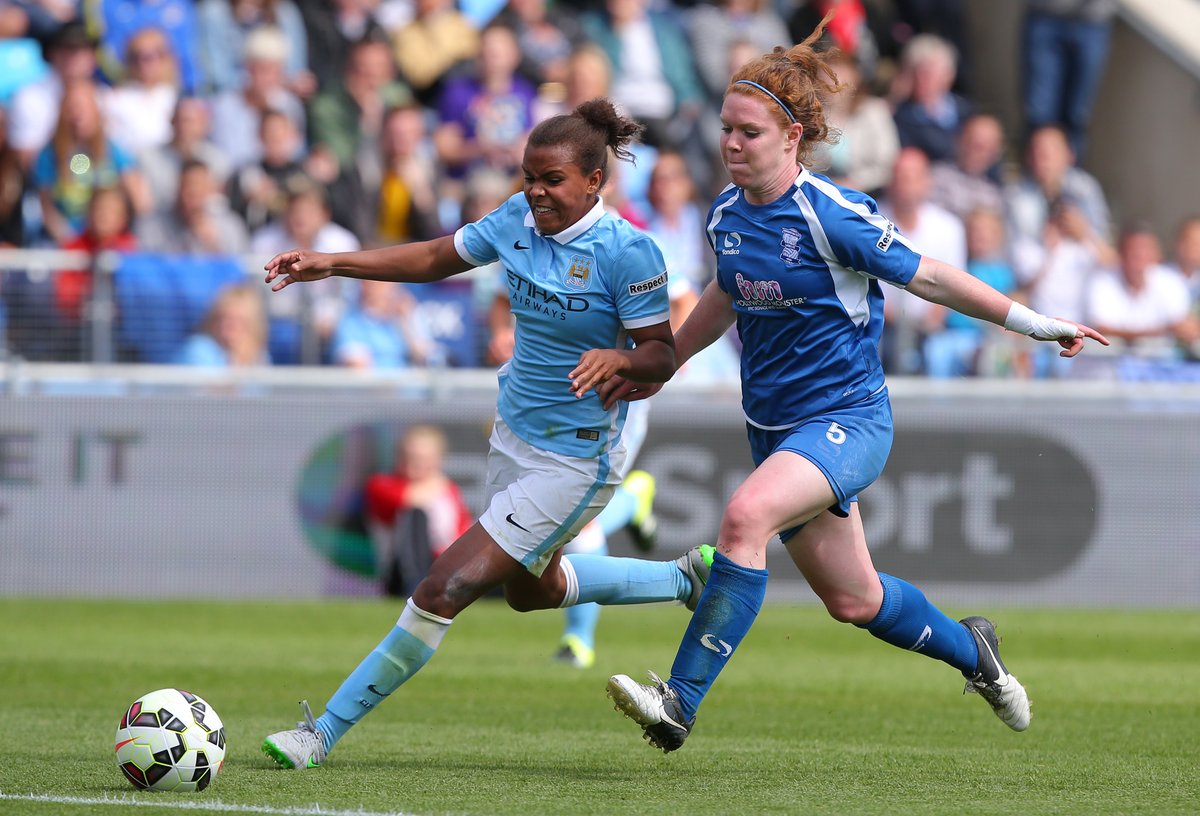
[[401, 655]]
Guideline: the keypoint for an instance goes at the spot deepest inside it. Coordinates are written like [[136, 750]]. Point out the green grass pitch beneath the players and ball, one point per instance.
[[811, 718]]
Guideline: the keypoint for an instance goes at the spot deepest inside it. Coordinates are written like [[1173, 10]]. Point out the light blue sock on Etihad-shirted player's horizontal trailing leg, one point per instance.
[[615, 581]]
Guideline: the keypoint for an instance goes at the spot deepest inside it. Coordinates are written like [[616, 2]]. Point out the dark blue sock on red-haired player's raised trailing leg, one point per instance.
[[909, 621]]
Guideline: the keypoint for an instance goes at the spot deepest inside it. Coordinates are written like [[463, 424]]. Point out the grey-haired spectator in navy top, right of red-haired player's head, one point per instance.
[[929, 115]]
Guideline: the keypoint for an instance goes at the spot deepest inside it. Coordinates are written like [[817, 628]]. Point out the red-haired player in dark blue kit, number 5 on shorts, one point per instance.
[[800, 260]]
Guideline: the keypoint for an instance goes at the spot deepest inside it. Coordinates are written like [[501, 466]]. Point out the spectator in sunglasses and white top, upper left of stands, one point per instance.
[[139, 110]]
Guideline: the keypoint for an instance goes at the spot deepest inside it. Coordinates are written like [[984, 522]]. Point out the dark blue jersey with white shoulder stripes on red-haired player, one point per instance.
[[803, 273]]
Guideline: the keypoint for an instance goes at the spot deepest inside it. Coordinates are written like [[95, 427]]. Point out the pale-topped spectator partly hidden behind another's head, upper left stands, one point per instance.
[[191, 129]]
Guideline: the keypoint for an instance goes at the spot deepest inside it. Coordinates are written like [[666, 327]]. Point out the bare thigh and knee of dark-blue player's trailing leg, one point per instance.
[[831, 553]]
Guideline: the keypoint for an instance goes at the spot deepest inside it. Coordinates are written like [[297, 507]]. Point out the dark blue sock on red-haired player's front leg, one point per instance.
[[728, 608]]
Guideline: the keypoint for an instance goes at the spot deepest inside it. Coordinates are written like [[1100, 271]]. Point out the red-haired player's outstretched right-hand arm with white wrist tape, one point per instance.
[[943, 284]]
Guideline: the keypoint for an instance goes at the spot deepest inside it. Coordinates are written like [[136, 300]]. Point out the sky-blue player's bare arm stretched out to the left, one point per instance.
[[406, 263]]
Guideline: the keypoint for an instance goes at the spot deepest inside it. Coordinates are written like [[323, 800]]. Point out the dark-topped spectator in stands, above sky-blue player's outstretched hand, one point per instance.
[[259, 193]]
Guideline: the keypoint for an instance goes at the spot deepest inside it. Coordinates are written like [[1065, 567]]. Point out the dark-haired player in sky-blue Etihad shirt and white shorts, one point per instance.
[[590, 293]]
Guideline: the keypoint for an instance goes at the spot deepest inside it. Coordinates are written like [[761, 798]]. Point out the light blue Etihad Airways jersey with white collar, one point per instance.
[[580, 290]]
